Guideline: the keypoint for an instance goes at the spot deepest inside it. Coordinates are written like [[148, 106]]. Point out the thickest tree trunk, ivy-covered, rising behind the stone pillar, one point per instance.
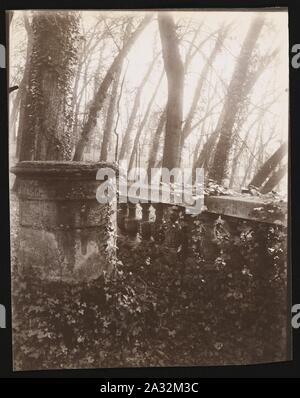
[[52, 62]]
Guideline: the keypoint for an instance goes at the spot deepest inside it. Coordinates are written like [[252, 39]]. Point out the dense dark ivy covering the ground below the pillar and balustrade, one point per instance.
[[221, 301]]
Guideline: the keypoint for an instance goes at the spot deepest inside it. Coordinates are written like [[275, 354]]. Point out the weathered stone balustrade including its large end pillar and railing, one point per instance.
[[66, 235]]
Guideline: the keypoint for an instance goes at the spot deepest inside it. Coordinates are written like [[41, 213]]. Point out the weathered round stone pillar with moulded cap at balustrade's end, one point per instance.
[[65, 234]]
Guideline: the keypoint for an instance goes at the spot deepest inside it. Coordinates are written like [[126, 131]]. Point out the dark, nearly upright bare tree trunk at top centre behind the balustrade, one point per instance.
[[175, 76]]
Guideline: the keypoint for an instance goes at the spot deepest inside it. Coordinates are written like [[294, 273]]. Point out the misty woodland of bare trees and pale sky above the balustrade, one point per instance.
[[104, 79]]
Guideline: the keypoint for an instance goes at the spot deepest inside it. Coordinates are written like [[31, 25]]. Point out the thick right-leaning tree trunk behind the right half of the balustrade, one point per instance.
[[241, 83]]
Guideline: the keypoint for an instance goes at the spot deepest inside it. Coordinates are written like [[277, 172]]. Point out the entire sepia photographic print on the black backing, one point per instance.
[[149, 188]]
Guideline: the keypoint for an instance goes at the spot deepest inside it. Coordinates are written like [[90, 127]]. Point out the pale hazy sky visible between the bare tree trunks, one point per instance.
[[270, 92]]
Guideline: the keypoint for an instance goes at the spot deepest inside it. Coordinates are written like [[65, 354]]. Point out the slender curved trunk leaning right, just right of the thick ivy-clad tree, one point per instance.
[[102, 92]]
